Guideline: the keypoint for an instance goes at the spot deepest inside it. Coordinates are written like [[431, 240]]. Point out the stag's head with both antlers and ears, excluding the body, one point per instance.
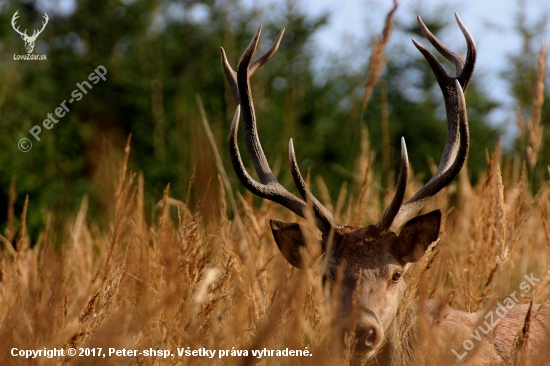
[[373, 258]]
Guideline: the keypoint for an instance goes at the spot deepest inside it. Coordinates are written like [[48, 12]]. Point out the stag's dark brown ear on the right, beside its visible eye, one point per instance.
[[416, 236]]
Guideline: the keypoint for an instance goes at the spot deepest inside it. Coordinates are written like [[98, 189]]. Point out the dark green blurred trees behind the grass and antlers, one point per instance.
[[161, 55]]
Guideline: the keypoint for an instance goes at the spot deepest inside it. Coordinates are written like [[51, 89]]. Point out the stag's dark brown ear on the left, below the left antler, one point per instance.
[[289, 238]]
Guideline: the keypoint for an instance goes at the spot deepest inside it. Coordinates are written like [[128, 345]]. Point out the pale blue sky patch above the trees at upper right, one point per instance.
[[490, 22]]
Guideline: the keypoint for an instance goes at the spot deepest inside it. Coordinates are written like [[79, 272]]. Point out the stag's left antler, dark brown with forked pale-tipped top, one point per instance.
[[269, 188]]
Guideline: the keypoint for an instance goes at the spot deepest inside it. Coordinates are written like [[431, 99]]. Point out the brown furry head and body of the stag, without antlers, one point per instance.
[[370, 256]]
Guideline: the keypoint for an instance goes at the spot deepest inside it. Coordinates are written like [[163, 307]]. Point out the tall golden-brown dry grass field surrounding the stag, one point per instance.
[[186, 282]]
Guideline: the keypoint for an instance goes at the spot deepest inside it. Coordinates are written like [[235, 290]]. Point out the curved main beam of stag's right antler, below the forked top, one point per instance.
[[435, 185]]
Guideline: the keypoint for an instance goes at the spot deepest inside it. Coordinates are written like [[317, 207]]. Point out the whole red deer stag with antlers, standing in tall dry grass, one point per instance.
[[377, 255]]
